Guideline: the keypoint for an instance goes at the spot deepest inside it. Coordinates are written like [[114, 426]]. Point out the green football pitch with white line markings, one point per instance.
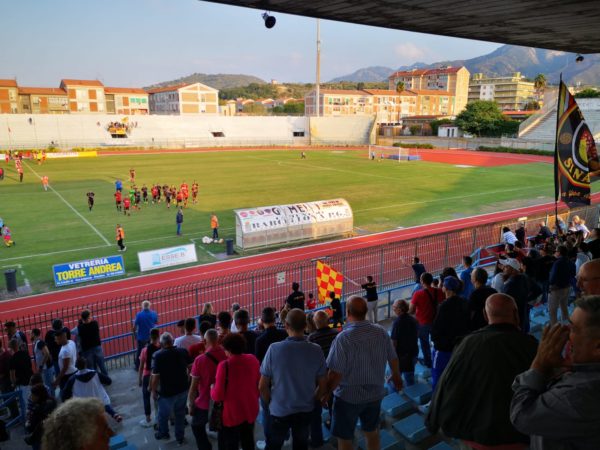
[[56, 227]]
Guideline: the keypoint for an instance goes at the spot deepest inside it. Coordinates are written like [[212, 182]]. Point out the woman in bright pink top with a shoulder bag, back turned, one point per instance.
[[236, 385]]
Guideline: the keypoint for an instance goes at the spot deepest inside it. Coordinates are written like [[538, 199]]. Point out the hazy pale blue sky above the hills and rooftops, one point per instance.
[[140, 42]]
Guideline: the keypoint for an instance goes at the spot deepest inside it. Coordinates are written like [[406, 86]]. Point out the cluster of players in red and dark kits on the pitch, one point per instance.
[[126, 201]]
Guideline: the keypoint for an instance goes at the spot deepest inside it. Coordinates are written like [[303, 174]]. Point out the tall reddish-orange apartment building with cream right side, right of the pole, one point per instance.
[[452, 81]]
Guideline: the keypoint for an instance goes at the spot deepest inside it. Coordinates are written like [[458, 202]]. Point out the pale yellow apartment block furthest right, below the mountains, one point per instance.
[[511, 93]]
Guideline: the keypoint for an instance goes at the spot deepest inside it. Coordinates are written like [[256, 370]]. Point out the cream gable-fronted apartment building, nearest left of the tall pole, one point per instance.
[[196, 98]]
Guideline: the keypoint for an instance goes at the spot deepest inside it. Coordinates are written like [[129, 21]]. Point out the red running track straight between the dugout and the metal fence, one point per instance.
[[46, 303]]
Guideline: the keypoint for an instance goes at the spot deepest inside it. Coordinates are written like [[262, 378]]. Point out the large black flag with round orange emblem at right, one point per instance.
[[575, 155]]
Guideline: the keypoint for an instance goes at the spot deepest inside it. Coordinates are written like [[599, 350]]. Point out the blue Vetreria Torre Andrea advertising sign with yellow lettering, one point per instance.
[[88, 270]]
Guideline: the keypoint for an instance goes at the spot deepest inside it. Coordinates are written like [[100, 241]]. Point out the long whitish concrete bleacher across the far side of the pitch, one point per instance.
[[88, 130]]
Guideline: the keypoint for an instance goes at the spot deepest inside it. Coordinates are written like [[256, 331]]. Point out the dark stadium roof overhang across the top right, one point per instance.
[[552, 24]]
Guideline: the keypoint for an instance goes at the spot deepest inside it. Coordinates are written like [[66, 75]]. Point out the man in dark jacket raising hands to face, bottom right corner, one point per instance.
[[559, 408]]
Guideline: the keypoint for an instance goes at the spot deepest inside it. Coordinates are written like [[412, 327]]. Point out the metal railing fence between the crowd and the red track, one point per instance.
[[390, 264]]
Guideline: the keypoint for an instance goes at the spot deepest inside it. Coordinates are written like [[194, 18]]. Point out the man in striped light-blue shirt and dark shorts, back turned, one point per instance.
[[356, 363]]
